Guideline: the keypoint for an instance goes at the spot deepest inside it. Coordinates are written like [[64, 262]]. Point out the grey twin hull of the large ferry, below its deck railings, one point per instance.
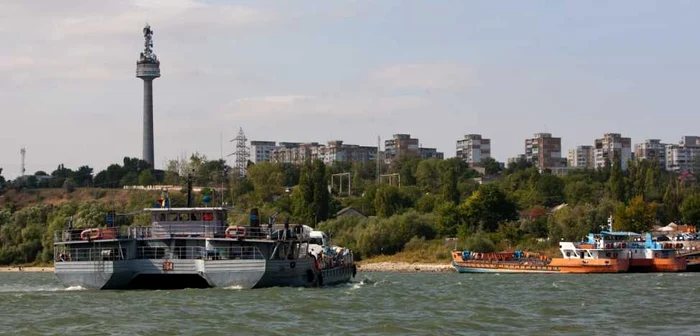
[[239, 274]]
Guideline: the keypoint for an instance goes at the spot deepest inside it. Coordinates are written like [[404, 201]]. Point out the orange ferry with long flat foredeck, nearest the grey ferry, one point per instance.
[[579, 257]]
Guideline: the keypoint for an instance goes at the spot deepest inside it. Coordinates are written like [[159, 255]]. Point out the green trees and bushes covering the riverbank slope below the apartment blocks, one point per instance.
[[491, 209]]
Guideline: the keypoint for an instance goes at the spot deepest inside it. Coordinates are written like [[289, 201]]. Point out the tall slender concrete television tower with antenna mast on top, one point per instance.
[[148, 69]]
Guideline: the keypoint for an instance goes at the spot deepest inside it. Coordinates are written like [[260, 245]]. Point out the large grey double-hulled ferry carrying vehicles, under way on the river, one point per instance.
[[193, 247]]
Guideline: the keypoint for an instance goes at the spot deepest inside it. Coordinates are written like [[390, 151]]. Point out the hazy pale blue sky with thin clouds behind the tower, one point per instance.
[[350, 70]]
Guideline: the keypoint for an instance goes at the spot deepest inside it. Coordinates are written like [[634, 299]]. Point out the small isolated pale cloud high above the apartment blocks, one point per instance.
[[449, 77]]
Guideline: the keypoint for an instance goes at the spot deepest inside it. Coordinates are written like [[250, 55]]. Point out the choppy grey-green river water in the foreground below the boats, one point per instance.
[[375, 304]]
